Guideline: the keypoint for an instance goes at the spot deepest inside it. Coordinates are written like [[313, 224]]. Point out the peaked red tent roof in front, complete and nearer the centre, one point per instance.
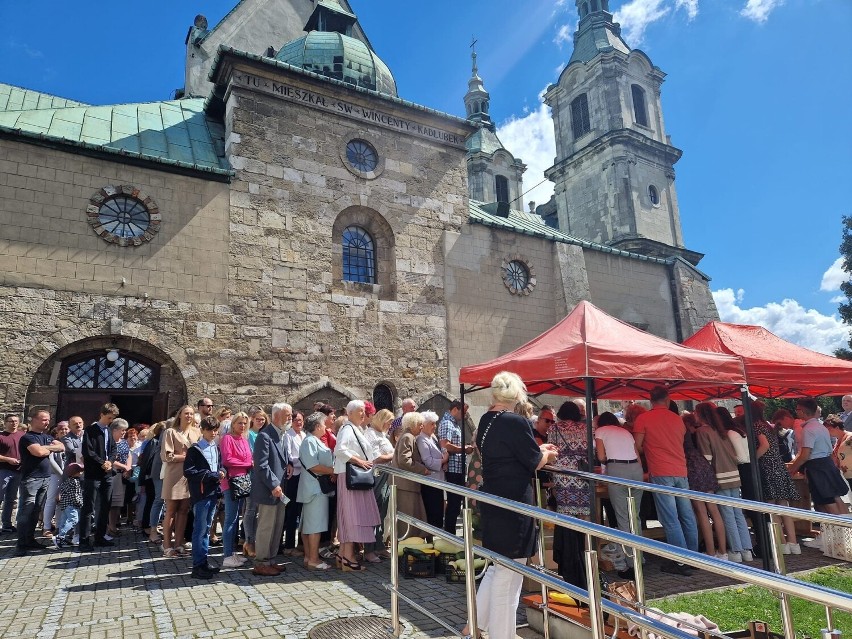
[[624, 362]]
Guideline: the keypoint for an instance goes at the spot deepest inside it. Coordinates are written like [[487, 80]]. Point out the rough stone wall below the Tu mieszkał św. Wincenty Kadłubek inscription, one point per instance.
[[293, 193]]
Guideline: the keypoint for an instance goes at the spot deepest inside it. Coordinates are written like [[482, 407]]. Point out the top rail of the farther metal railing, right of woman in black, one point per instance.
[[733, 502]]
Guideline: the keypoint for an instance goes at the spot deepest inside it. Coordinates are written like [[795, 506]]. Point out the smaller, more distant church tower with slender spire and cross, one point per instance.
[[494, 175]]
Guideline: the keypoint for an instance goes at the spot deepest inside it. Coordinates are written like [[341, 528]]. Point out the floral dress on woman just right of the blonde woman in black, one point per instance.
[[572, 493]]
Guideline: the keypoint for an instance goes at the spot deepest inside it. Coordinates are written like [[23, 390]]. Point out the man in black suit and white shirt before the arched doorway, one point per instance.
[[97, 448]]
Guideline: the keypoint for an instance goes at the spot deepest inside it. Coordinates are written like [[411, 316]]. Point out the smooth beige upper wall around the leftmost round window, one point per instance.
[[47, 242]]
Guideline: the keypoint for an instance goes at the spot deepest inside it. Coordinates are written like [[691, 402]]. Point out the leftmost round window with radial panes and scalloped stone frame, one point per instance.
[[123, 215]]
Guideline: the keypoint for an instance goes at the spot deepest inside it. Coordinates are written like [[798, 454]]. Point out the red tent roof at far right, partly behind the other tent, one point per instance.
[[775, 367]]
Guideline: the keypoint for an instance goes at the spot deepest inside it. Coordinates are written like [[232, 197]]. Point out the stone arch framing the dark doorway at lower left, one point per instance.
[[178, 378]]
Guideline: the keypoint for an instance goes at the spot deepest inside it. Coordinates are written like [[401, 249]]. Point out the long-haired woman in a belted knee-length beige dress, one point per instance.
[[175, 443]]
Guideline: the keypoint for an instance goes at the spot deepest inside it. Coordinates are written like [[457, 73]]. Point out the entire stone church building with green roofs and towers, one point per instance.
[[291, 228]]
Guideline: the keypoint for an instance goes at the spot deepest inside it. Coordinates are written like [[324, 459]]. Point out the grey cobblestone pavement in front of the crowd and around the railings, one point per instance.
[[132, 592]]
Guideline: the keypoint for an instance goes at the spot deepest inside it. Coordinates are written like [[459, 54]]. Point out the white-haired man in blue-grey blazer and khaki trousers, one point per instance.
[[272, 467]]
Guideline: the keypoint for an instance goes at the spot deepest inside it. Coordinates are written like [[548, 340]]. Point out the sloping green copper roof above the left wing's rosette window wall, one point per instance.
[[175, 132]]
